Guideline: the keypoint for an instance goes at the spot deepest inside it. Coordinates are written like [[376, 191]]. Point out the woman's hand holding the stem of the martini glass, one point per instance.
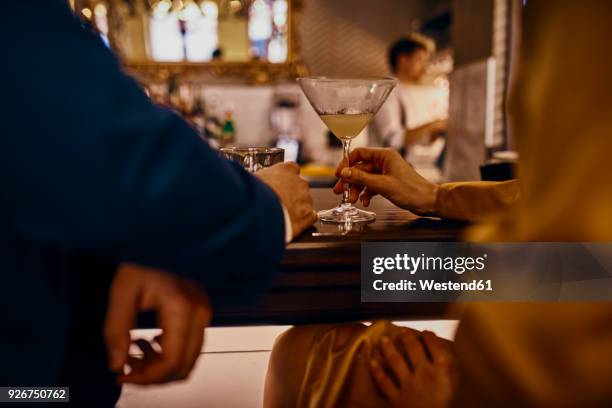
[[385, 172]]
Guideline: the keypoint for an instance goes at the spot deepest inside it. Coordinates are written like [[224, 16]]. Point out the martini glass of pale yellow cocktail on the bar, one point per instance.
[[346, 106]]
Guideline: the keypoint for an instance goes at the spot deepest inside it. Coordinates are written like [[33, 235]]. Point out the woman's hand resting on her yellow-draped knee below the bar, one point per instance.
[[415, 370]]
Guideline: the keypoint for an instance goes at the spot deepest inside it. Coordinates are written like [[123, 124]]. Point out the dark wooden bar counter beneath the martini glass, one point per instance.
[[319, 279]]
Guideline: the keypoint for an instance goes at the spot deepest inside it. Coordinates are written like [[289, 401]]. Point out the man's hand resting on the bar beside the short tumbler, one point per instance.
[[293, 192]]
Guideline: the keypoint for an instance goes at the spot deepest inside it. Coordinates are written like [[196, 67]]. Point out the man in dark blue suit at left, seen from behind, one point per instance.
[[94, 176]]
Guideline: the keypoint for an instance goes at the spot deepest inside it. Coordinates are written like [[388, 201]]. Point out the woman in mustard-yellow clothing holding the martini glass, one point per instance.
[[519, 354]]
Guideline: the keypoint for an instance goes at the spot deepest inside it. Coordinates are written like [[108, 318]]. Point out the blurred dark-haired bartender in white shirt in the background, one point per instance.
[[414, 117]]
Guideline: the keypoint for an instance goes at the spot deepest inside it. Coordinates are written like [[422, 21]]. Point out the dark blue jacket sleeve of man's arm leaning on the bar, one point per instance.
[[88, 163]]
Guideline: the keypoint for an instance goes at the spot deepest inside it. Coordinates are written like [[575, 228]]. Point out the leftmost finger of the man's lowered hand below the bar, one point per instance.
[[120, 317]]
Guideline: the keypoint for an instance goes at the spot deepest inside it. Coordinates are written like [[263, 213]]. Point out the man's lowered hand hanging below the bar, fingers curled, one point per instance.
[[183, 312]]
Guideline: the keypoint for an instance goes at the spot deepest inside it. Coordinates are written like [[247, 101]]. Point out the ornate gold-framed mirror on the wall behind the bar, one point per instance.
[[253, 41]]
